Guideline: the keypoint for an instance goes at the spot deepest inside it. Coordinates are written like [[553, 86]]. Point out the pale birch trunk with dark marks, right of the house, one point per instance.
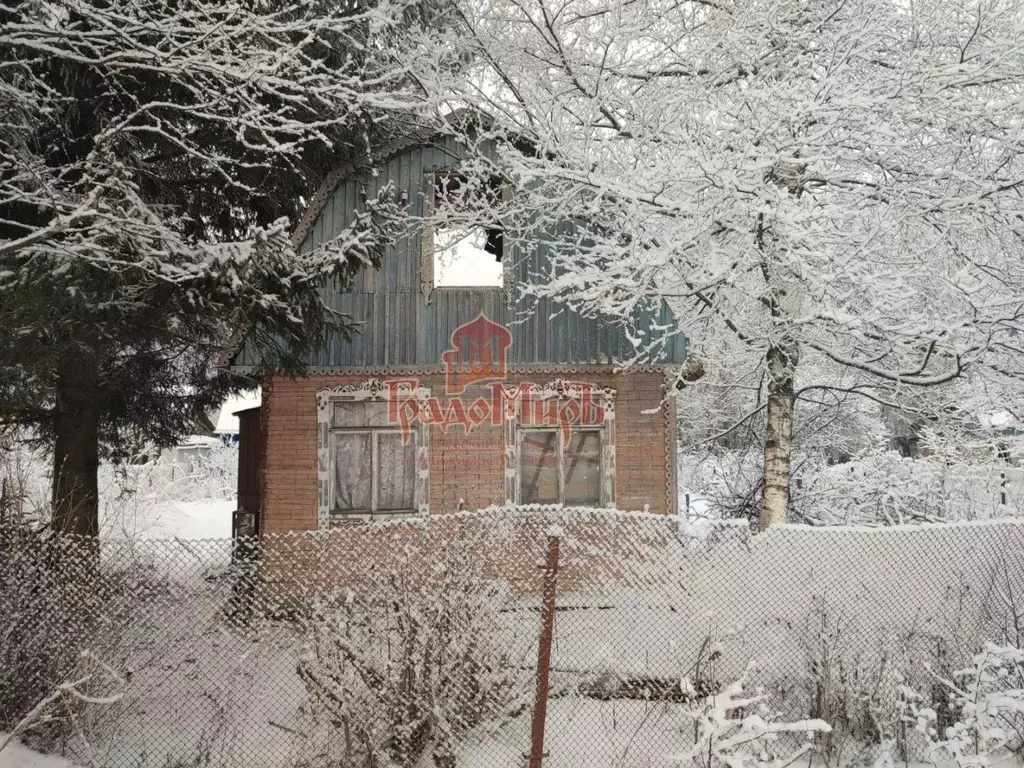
[[782, 362]]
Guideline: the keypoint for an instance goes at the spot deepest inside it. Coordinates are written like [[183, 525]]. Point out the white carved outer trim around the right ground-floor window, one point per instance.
[[559, 390]]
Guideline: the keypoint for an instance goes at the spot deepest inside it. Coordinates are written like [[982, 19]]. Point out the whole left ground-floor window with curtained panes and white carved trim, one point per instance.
[[368, 466]]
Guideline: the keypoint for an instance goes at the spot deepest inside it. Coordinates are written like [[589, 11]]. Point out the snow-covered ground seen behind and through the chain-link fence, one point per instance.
[[670, 590]]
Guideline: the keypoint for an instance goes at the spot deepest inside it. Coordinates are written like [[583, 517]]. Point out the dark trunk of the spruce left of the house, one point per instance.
[[76, 451]]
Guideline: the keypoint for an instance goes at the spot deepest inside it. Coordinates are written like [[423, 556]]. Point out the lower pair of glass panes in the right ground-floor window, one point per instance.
[[553, 472]]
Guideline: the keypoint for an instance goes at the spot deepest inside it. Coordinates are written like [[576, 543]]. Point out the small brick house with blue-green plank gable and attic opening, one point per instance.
[[457, 396]]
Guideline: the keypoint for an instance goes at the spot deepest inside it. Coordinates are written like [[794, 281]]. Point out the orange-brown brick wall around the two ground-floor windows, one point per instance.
[[463, 468]]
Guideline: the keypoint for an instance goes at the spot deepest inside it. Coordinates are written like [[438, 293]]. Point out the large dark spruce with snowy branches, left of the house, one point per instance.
[[152, 155]]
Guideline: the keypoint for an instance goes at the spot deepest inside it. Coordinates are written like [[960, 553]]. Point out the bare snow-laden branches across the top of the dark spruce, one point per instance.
[[110, 107]]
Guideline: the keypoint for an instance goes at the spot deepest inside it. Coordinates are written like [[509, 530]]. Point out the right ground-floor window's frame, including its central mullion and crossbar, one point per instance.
[[515, 432]]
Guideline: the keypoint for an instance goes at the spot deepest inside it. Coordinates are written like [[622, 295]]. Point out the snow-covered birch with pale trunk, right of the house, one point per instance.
[[834, 185]]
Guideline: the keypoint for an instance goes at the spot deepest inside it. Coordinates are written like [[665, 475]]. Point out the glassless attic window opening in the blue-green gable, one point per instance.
[[468, 243]]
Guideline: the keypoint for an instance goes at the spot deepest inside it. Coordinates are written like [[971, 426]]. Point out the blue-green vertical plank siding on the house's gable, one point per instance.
[[399, 328]]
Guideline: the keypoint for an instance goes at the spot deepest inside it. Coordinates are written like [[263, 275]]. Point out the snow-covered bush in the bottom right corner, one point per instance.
[[988, 699]]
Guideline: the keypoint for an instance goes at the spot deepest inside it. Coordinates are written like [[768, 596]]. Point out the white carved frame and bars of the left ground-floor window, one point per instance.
[[372, 391]]
